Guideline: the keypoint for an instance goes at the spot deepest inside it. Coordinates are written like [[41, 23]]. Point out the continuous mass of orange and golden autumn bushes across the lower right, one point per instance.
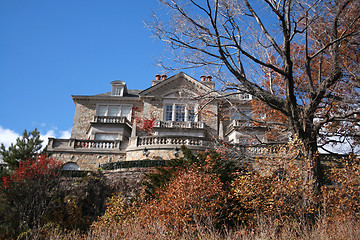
[[276, 187]]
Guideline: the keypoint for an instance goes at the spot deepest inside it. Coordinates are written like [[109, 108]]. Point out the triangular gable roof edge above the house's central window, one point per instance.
[[151, 90]]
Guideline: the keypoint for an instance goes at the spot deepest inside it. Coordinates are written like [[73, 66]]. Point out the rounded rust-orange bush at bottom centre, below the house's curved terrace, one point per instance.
[[192, 196]]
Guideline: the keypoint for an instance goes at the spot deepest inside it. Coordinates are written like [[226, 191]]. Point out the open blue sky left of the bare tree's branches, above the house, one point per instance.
[[52, 49]]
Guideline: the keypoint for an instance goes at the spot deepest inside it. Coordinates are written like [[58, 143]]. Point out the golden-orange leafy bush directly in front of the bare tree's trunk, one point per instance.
[[278, 188]]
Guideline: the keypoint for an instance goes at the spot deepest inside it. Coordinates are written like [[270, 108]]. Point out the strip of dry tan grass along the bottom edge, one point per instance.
[[265, 230]]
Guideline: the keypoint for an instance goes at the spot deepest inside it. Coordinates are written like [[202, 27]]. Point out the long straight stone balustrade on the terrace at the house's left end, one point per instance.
[[78, 145]]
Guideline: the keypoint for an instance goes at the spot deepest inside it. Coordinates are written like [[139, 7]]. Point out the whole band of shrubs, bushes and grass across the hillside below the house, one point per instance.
[[199, 195]]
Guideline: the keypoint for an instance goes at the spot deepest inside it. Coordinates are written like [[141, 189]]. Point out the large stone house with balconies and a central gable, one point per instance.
[[125, 125]]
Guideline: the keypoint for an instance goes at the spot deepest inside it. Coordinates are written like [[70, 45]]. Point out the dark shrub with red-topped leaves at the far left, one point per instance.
[[26, 195]]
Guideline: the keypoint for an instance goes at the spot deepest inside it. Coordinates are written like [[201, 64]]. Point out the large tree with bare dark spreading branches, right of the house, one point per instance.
[[311, 47]]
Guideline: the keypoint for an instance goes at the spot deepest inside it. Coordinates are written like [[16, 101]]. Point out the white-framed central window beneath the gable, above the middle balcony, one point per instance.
[[179, 113]]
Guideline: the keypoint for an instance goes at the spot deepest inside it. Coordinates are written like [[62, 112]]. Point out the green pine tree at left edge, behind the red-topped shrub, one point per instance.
[[26, 148]]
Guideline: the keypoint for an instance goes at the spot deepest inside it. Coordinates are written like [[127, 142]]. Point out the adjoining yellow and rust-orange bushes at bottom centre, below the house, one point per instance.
[[192, 198]]
